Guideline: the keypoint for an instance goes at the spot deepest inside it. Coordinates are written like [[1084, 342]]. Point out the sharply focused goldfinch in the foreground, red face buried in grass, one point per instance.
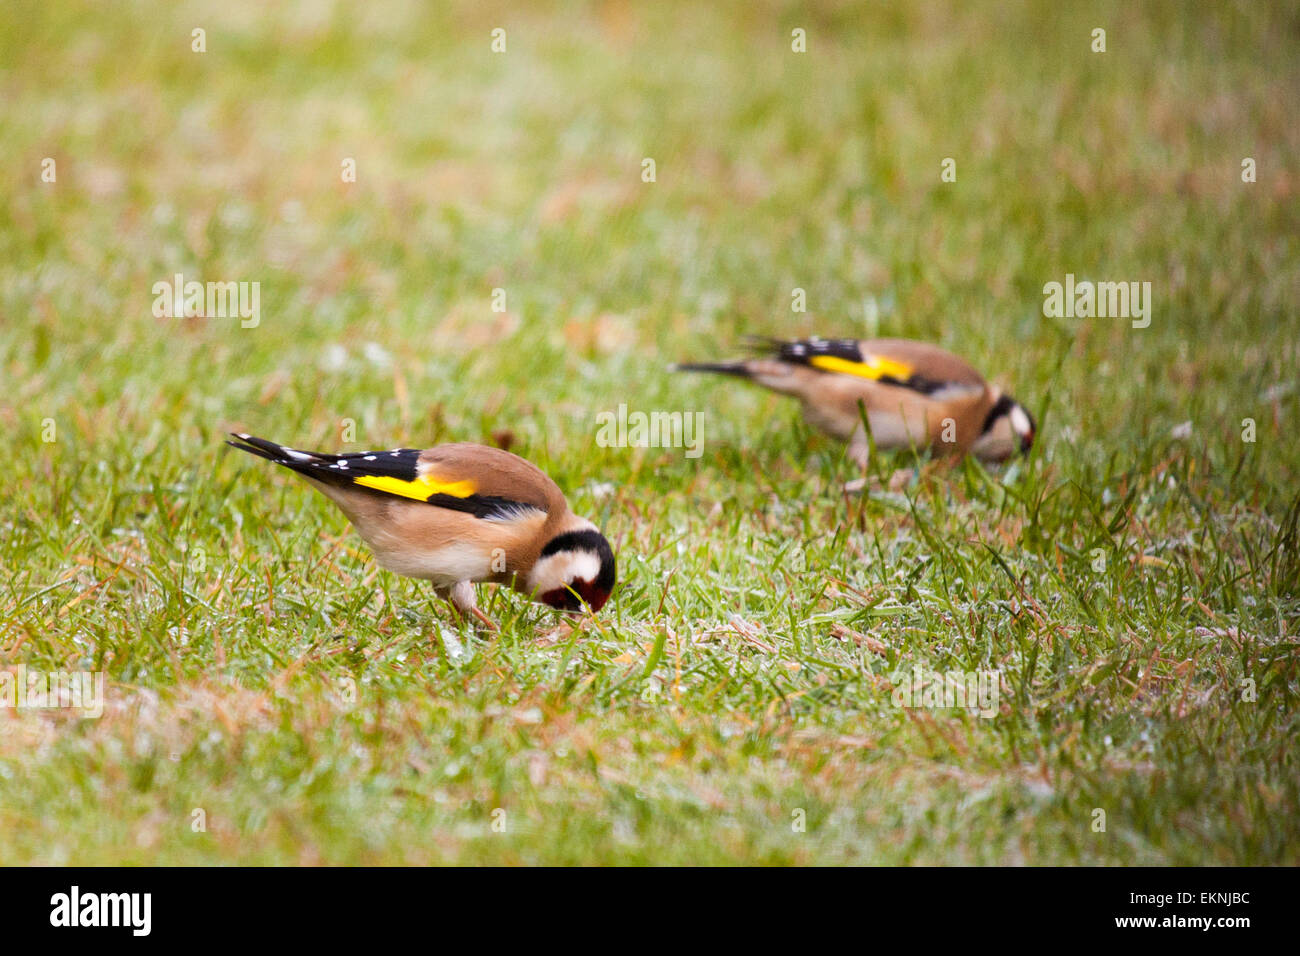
[[458, 514]]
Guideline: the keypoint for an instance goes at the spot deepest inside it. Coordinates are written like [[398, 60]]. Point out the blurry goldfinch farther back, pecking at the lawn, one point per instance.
[[915, 395]]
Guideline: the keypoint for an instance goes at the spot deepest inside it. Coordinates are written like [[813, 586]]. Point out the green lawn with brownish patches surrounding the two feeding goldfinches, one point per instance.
[[1125, 581]]
